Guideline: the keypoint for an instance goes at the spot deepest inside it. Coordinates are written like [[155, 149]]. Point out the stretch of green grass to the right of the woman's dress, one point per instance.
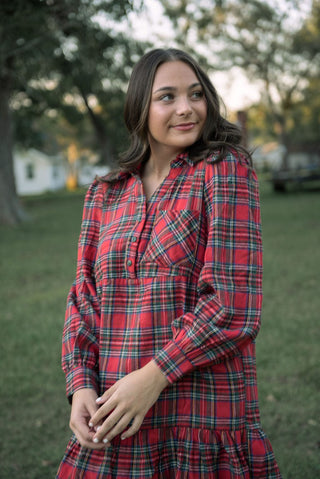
[[288, 344]]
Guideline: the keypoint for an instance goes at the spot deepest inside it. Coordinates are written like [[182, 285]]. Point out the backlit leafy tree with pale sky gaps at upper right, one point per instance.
[[276, 43]]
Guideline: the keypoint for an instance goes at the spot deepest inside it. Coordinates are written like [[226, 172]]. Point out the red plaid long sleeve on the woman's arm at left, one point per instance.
[[81, 328]]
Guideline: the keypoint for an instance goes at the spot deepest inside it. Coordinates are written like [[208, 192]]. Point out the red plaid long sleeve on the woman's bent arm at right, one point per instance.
[[227, 313]]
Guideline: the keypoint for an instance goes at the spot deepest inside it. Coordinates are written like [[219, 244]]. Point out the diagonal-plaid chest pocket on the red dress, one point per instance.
[[173, 238]]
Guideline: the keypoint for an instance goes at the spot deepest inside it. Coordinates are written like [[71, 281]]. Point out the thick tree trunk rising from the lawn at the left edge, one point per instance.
[[11, 211]]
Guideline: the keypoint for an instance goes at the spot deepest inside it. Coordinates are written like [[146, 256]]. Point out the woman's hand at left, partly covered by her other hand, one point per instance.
[[84, 406]]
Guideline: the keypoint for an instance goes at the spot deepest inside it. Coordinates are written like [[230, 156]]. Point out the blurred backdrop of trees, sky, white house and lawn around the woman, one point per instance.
[[64, 68]]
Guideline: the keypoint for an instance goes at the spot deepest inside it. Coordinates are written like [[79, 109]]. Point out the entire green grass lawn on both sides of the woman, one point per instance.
[[37, 268]]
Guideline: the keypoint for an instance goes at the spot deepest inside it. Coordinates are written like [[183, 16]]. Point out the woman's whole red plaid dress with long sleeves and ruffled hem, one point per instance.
[[179, 280]]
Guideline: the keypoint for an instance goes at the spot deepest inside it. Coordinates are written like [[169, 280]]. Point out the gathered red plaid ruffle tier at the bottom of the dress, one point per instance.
[[175, 453]]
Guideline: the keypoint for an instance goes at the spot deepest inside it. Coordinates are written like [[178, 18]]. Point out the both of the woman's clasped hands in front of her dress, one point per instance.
[[96, 421]]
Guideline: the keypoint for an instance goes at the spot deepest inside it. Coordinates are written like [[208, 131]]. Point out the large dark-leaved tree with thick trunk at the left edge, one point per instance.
[[50, 49]]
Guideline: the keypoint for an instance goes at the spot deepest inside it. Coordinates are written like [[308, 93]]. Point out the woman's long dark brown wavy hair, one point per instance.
[[218, 134]]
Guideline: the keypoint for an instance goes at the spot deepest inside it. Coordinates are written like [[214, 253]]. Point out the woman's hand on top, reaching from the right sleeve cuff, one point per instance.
[[129, 399]]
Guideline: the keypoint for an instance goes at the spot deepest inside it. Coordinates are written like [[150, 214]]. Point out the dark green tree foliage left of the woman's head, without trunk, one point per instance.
[[76, 62]]
